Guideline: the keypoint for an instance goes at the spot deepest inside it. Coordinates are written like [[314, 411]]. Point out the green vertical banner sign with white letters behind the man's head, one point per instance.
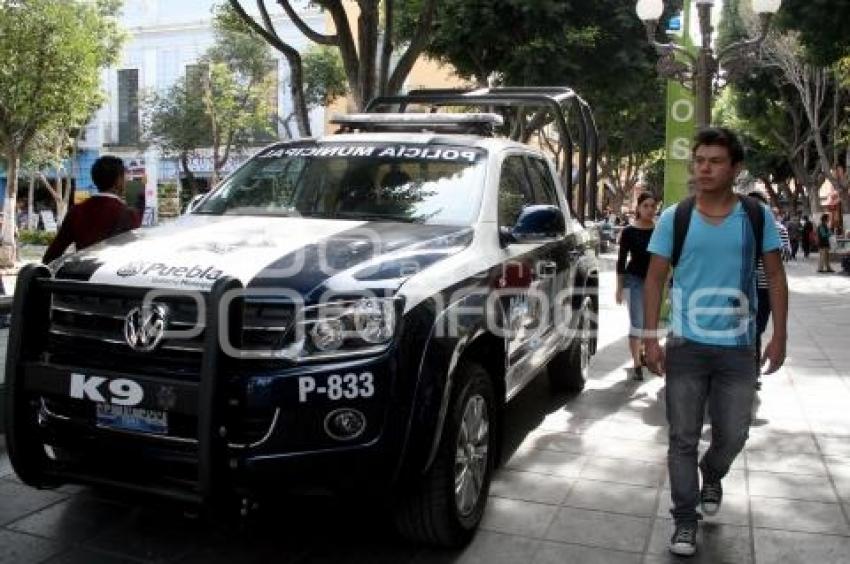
[[681, 119]]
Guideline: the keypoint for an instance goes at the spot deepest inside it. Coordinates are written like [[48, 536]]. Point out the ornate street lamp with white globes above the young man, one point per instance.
[[701, 72]]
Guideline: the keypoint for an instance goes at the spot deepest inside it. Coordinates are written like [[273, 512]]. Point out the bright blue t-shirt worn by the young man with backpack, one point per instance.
[[713, 299]]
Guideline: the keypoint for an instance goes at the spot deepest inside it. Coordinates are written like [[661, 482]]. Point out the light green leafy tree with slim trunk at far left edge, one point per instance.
[[52, 53]]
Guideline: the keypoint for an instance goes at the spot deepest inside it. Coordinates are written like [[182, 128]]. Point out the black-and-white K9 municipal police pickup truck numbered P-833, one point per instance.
[[351, 312]]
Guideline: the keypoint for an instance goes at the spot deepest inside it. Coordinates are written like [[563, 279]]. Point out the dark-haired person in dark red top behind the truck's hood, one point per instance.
[[102, 216]]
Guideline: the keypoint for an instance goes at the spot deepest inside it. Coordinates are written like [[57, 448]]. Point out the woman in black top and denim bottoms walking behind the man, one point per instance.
[[632, 264]]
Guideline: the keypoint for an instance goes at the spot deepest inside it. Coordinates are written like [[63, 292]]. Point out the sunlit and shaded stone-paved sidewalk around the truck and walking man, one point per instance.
[[585, 482]]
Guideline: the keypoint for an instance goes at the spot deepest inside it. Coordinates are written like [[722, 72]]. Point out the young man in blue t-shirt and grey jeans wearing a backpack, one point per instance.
[[710, 351]]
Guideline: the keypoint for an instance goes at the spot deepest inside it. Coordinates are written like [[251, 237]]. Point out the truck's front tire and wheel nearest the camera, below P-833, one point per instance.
[[431, 512]]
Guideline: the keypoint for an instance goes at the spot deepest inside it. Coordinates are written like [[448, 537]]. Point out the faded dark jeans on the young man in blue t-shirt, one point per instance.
[[724, 377]]
